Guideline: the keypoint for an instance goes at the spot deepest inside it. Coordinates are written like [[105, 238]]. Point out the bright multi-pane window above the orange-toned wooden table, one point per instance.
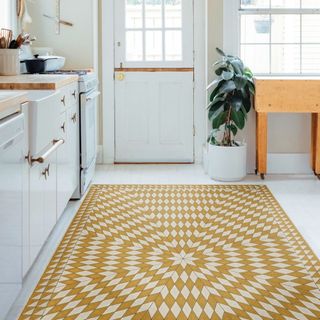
[[280, 36]]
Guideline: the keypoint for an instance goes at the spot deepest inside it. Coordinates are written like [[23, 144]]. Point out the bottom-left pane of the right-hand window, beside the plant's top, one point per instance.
[[256, 57]]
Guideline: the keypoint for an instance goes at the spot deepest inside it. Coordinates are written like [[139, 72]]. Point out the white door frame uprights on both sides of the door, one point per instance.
[[108, 81]]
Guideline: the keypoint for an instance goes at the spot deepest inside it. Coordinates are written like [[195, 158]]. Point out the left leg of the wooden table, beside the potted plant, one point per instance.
[[262, 142]]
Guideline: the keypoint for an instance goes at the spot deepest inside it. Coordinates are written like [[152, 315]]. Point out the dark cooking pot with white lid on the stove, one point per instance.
[[40, 64]]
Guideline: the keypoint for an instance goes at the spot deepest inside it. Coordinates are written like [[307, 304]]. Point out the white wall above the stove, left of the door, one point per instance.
[[76, 43]]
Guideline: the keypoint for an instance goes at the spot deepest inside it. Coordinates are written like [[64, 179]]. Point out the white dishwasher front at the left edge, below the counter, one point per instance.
[[12, 148]]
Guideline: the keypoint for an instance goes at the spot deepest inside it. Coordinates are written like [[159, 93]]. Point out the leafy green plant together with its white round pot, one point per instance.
[[230, 103]]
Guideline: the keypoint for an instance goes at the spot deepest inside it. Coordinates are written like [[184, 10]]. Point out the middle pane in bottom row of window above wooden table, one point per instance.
[[285, 58]]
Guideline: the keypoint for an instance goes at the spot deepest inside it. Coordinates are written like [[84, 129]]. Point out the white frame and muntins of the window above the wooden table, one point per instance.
[[234, 6]]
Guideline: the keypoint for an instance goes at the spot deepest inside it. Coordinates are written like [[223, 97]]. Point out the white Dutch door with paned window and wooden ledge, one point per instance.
[[154, 81]]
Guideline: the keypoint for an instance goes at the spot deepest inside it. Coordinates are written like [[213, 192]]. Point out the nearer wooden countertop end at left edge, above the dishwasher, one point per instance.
[[10, 102]]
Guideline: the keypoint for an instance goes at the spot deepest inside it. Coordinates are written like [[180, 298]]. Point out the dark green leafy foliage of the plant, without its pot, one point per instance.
[[230, 99]]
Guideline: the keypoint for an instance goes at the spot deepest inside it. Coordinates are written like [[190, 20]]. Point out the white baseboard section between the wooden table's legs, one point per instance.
[[289, 163]]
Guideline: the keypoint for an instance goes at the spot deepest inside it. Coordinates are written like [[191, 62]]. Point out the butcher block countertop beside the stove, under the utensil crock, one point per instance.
[[36, 81]]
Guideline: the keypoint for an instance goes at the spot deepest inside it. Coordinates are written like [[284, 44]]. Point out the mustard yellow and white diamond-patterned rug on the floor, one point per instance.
[[179, 252]]
